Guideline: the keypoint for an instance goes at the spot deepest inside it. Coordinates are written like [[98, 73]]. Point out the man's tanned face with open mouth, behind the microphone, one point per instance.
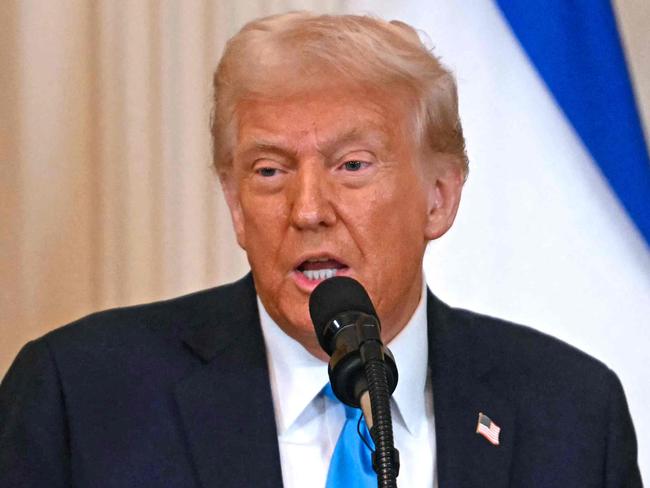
[[330, 183]]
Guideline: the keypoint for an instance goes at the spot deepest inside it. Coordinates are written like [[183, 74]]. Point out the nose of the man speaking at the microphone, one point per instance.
[[311, 207]]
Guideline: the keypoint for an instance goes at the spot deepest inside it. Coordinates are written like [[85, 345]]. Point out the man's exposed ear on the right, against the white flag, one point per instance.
[[445, 185]]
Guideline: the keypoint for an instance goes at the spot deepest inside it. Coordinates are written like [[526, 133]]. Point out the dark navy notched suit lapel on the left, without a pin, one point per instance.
[[226, 404]]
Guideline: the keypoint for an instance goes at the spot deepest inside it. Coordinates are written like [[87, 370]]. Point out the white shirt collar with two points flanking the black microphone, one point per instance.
[[297, 376]]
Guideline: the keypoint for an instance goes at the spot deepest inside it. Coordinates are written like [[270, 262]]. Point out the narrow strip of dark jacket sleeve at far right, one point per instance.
[[621, 468]]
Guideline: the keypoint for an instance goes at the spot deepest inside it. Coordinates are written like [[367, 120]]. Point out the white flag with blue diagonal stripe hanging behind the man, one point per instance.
[[554, 226]]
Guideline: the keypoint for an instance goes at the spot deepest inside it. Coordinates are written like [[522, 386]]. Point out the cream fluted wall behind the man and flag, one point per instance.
[[106, 193]]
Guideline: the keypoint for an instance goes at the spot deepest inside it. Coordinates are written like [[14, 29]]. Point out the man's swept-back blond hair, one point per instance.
[[276, 56]]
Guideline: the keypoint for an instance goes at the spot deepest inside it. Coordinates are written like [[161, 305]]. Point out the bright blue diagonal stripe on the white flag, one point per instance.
[[576, 49]]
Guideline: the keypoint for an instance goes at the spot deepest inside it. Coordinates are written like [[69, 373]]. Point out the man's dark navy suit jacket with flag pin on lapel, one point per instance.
[[176, 394]]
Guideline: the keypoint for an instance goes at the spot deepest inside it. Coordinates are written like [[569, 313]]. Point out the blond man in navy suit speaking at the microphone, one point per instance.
[[340, 152]]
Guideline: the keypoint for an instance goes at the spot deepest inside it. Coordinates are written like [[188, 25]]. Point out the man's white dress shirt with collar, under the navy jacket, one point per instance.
[[309, 423]]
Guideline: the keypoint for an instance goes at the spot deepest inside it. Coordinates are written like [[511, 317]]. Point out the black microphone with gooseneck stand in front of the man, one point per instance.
[[348, 330]]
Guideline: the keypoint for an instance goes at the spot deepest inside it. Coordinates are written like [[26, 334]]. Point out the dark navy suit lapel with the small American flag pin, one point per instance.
[[464, 384]]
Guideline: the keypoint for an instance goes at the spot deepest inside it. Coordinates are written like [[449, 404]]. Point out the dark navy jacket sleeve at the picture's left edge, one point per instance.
[[34, 442]]
